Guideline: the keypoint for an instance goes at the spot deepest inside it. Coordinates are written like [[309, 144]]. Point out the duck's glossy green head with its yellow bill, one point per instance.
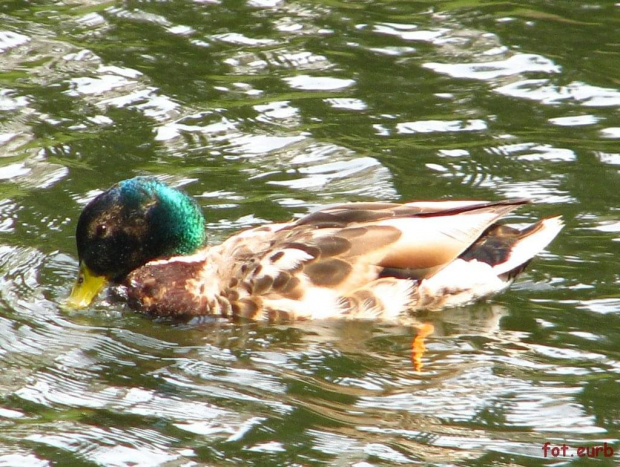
[[135, 221]]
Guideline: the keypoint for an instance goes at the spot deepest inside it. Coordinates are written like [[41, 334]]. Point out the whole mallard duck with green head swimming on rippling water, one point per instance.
[[358, 260]]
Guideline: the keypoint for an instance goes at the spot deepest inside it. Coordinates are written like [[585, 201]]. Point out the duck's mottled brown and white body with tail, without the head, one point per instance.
[[356, 260]]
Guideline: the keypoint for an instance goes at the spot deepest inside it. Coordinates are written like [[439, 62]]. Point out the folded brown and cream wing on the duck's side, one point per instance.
[[343, 245]]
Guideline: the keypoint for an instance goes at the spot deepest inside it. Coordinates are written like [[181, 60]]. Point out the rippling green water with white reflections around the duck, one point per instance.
[[263, 110]]
